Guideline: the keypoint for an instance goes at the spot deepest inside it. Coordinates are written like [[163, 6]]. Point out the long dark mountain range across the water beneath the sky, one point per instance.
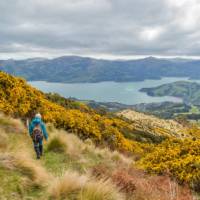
[[73, 69]]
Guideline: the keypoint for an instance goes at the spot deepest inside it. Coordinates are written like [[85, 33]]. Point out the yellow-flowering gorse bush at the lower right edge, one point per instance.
[[179, 158]]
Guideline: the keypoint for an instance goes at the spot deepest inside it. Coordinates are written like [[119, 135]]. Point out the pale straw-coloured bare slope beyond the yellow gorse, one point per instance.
[[152, 124]]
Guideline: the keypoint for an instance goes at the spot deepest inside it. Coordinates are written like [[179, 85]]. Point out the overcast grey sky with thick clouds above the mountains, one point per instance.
[[101, 28]]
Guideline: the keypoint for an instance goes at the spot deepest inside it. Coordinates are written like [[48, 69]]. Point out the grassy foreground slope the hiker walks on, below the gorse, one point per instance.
[[73, 170]]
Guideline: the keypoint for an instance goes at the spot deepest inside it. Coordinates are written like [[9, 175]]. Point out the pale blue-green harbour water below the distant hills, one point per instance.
[[126, 93]]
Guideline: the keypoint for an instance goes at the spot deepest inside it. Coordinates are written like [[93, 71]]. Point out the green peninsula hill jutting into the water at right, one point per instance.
[[188, 91]]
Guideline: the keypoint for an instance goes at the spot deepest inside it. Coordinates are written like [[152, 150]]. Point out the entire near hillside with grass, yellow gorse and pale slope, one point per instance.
[[93, 165]]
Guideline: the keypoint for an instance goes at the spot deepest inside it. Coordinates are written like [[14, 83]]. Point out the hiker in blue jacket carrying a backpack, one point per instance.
[[37, 130]]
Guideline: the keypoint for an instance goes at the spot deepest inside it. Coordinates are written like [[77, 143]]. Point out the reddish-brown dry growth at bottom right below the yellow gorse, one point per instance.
[[157, 187]]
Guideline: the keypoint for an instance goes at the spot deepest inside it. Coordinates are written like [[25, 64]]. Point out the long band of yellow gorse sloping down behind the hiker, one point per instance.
[[21, 100]]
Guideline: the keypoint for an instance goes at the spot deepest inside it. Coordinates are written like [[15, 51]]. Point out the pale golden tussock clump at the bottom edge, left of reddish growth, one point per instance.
[[74, 186]]
